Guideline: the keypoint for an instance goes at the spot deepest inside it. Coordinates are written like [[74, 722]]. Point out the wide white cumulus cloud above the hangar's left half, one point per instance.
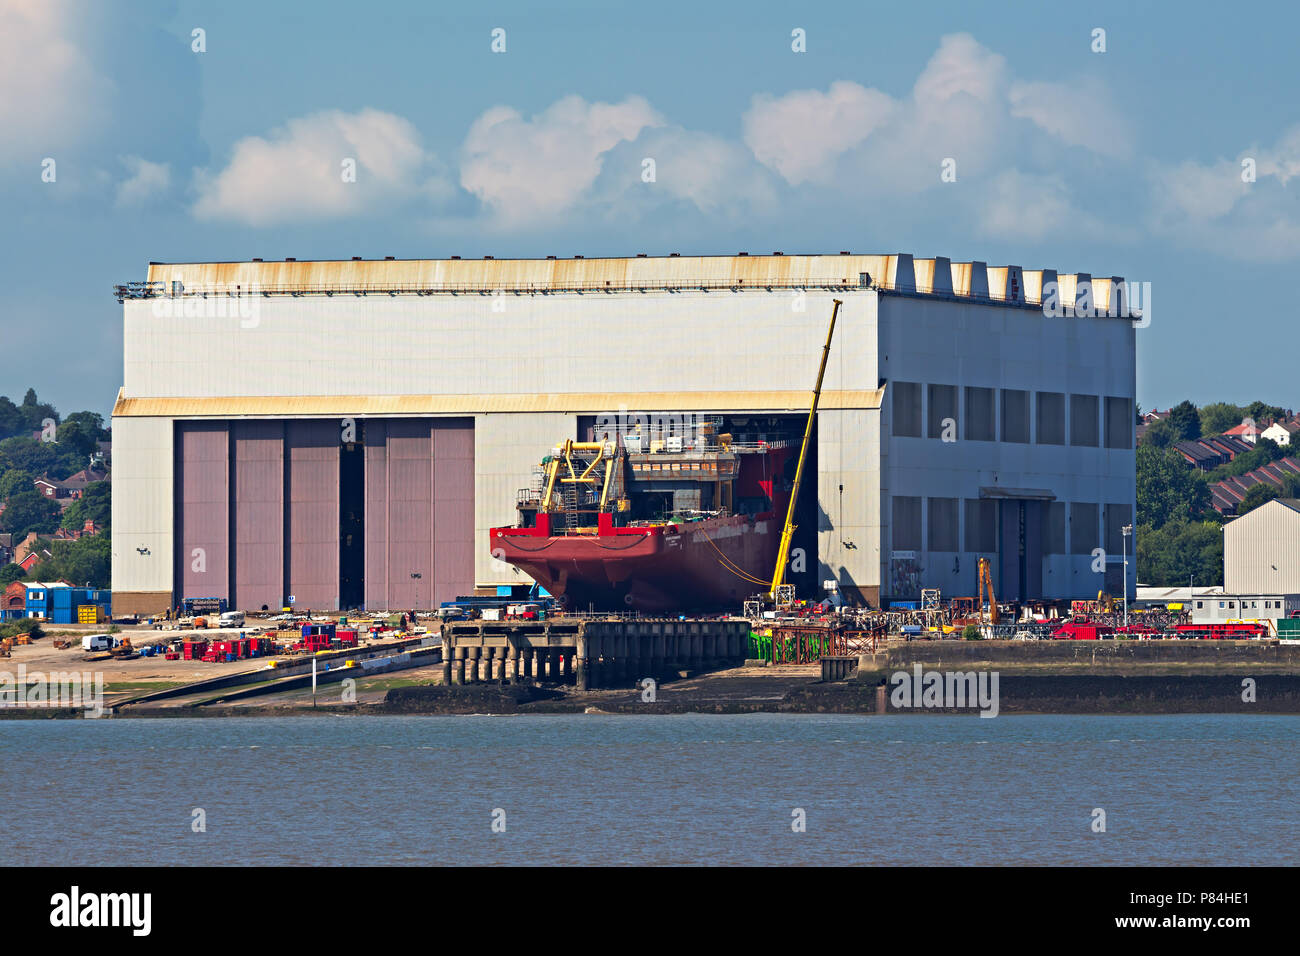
[[302, 171]]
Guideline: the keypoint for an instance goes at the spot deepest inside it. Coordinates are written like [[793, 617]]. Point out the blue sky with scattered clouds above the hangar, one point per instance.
[[1150, 141]]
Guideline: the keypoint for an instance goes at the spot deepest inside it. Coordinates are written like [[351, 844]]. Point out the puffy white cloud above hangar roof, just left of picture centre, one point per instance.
[[527, 171]]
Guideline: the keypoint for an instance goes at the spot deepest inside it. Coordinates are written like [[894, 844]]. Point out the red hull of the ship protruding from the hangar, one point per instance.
[[675, 568]]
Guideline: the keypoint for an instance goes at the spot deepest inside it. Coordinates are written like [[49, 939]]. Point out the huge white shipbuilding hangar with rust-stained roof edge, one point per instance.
[[349, 434]]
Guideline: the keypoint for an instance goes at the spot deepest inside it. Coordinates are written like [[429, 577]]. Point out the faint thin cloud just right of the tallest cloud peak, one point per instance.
[[1078, 114]]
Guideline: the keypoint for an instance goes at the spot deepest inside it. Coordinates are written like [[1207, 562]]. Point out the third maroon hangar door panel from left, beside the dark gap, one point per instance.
[[313, 514]]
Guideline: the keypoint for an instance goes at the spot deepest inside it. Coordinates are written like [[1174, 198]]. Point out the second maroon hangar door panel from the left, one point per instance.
[[258, 503]]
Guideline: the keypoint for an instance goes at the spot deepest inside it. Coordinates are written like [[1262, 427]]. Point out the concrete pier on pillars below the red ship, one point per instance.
[[590, 654]]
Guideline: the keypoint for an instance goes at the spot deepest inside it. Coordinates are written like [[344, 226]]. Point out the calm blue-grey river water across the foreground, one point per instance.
[[652, 790]]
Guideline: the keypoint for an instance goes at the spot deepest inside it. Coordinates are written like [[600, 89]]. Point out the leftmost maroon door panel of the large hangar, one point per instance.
[[202, 518]]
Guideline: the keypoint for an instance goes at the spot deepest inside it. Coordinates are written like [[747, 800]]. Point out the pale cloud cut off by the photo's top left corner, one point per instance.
[[51, 96]]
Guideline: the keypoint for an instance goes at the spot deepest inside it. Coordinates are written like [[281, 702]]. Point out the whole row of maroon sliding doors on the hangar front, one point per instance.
[[272, 488]]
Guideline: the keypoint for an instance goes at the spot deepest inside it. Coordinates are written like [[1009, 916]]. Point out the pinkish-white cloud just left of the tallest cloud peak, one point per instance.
[[801, 135]]
